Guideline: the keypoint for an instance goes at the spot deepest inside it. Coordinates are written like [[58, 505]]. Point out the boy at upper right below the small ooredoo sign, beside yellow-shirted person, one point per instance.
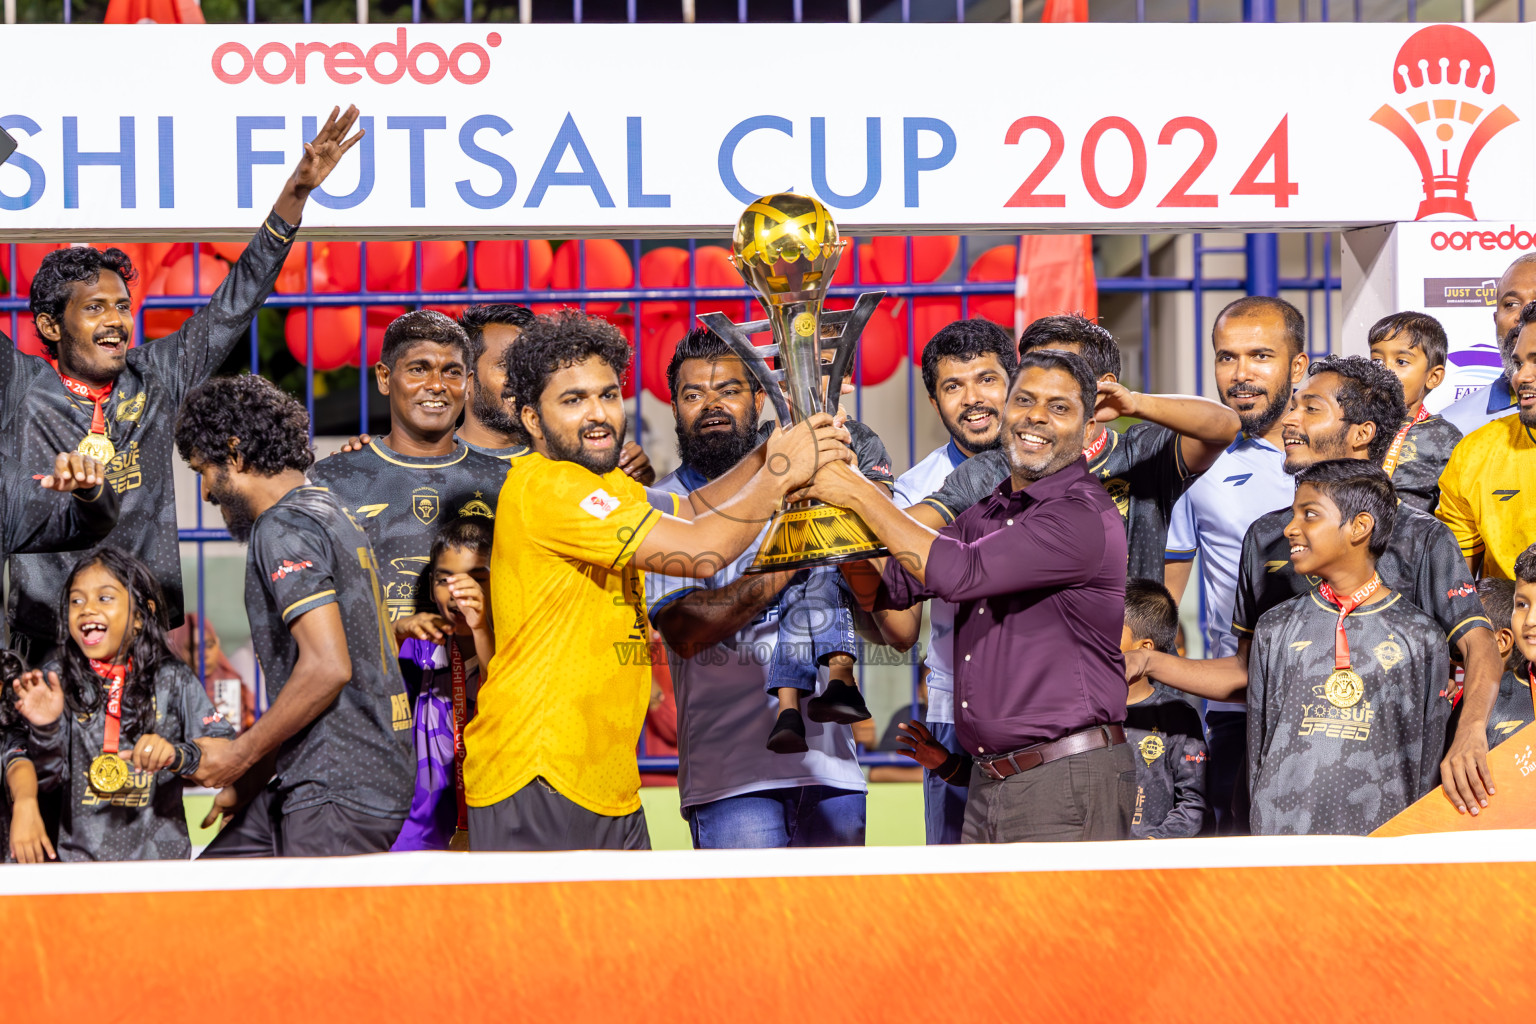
[[1414, 348]]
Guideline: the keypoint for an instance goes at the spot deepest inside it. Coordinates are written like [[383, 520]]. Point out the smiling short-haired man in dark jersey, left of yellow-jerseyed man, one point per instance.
[[405, 486]]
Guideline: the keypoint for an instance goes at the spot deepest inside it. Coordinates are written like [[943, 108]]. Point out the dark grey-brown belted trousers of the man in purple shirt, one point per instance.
[[1078, 799]]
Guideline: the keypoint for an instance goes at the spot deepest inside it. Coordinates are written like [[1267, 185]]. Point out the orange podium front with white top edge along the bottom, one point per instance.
[[1257, 930]]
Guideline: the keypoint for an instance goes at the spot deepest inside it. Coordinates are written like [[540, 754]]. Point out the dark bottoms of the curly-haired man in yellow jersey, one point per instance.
[[540, 819]]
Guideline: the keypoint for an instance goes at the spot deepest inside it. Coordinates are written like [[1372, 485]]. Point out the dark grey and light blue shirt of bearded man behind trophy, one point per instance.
[[724, 712]]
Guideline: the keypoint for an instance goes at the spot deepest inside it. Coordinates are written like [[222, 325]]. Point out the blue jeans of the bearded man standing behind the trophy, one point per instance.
[[801, 816]]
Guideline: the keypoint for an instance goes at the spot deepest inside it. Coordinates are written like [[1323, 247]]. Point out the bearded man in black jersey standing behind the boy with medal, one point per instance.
[[1351, 408]]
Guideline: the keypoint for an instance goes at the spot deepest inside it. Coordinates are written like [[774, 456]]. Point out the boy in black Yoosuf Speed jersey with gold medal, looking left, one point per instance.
[[1348, 716]]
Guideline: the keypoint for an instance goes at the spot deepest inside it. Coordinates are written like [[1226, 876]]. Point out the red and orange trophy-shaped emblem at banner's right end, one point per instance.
[[1445, 76]]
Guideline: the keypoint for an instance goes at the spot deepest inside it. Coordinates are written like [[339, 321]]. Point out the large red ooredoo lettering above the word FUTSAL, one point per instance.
[[346, 64]]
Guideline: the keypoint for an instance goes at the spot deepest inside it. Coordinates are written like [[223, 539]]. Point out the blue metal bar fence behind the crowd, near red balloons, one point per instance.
[[1260, 254]]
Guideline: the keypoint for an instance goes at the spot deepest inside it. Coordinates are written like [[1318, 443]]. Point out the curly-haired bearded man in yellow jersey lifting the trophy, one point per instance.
[[551, 755]]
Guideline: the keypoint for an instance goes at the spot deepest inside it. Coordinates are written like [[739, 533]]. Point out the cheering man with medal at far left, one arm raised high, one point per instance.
[[116, 403]]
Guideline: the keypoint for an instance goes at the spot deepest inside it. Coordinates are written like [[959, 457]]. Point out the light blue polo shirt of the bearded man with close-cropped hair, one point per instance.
[[1213, 517]]
